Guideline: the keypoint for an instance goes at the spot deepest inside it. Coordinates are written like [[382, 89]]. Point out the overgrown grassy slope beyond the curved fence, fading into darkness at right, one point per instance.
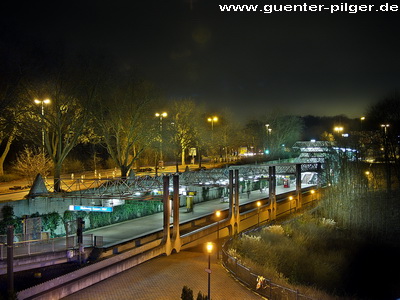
[[315, 253]]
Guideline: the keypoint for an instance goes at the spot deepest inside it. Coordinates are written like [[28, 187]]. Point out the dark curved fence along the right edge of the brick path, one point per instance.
[[258, 283]]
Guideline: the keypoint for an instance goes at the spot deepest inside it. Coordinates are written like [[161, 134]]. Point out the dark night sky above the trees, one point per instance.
[[300, 62]]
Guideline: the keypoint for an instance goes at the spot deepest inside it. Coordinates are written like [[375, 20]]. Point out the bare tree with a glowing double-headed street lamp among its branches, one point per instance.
[[61, 124]]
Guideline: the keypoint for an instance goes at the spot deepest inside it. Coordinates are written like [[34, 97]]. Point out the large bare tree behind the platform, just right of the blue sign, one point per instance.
[[124, 118]]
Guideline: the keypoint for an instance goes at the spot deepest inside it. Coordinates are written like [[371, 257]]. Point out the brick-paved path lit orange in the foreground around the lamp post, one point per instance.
[[164, 277]]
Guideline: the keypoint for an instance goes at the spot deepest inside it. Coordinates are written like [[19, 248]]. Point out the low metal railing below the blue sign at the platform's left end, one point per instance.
[[26, 248]]
